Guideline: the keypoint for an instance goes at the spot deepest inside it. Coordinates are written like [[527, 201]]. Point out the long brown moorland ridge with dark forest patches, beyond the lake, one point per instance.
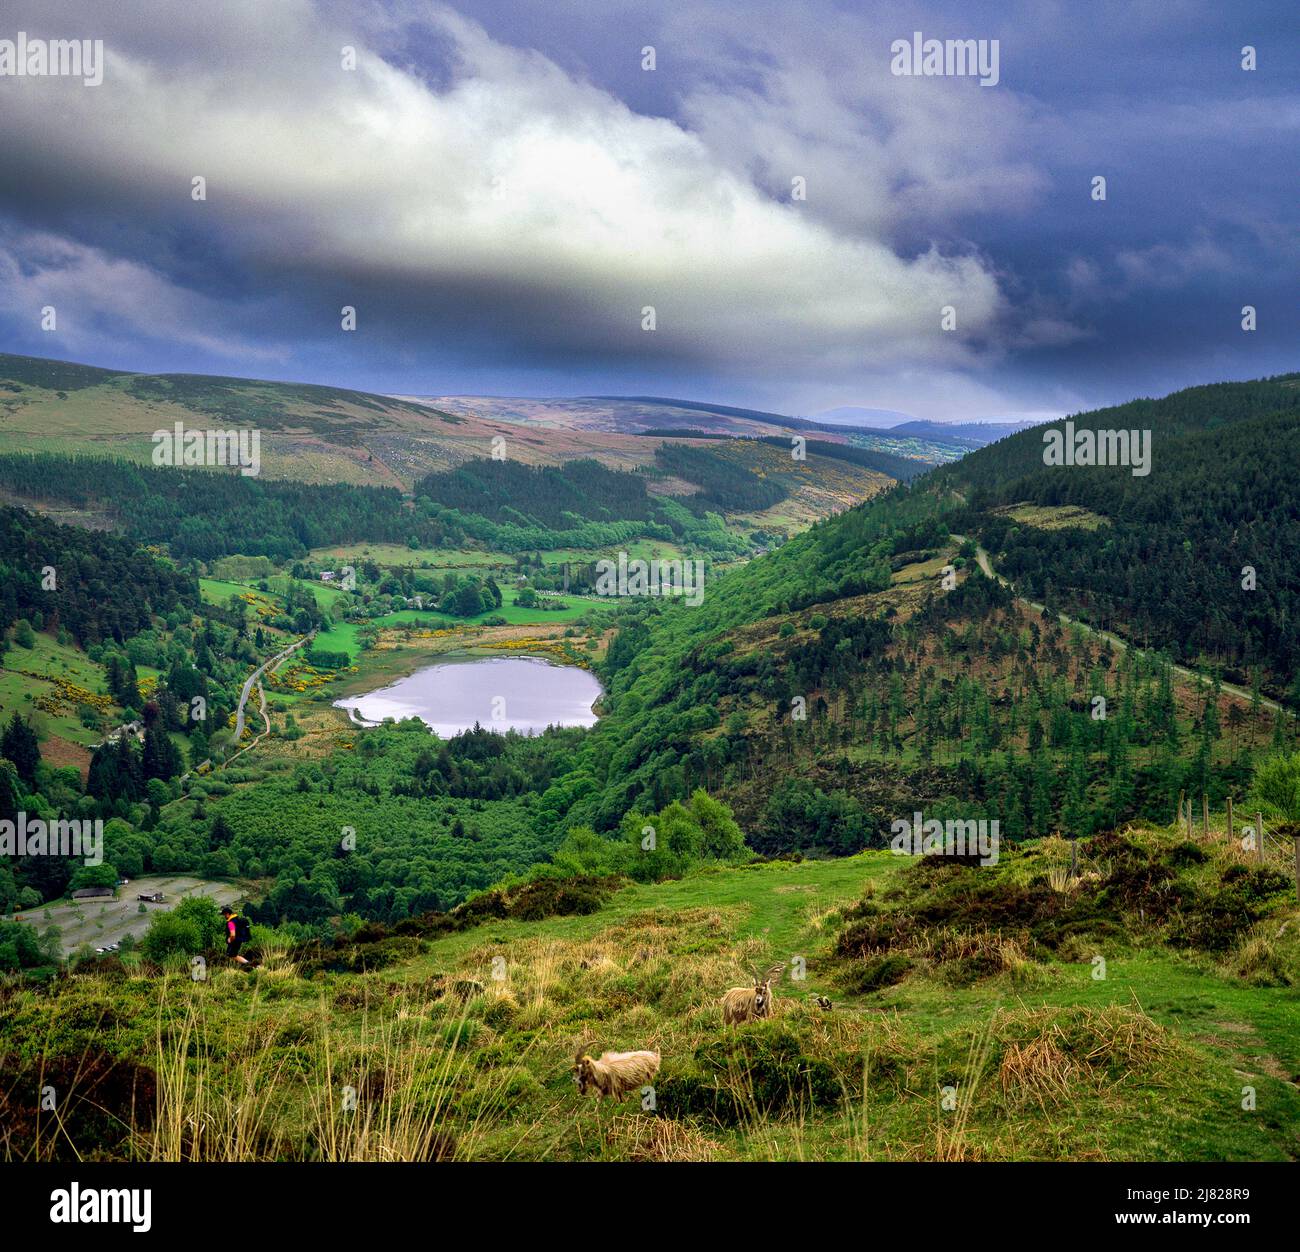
[[76, 436]]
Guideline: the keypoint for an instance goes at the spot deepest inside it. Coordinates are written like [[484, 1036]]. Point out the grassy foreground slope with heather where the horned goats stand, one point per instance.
[[973, 1019]]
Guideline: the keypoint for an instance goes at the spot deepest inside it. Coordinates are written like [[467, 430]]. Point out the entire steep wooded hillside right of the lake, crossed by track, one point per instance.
[[912, 688]]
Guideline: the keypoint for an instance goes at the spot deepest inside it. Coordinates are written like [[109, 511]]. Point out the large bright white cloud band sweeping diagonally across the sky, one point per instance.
[[534, 196]]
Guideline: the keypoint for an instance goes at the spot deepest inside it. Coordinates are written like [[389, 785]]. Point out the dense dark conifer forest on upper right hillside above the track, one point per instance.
[[1197, 557]]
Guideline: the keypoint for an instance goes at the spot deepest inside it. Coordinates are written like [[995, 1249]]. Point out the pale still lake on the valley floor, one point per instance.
[[501, 694]]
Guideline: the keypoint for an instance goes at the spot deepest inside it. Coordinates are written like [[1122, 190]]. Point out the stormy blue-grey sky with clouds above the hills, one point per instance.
[[501, 188]]
